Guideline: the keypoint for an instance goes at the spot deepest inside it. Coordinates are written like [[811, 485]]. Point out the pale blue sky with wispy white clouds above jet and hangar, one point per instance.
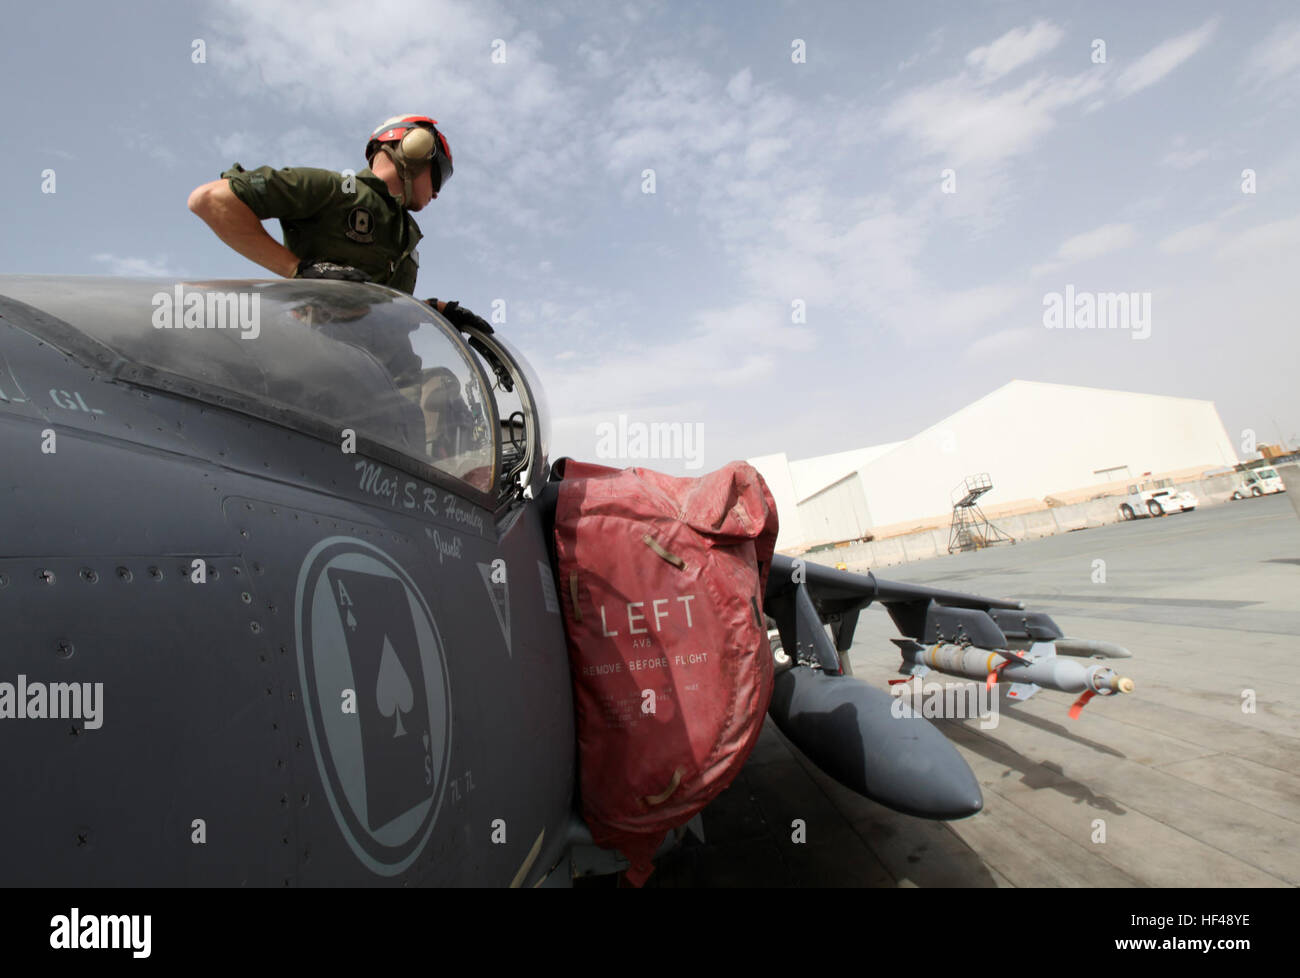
[[777, 183]]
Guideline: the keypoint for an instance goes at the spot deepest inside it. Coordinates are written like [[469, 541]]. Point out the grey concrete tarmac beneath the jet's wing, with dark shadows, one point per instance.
[[1194, 780]]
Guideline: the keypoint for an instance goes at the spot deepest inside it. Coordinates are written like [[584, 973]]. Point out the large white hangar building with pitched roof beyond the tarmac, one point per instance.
[[1034, 440]]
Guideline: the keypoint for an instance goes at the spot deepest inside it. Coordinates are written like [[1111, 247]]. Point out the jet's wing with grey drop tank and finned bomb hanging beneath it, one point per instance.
[[876, 743]]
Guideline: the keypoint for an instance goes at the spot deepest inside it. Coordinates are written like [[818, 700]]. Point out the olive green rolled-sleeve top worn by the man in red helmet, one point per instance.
[[324, 223]]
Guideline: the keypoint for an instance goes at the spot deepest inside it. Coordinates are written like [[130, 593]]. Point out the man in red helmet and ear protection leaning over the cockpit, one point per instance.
[[350, 228]]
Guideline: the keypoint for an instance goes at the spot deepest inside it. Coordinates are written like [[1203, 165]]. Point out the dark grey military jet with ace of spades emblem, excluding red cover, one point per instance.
[[280, 607]]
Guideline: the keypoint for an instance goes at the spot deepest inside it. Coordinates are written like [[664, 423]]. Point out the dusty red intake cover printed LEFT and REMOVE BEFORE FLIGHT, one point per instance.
[[662, 585]]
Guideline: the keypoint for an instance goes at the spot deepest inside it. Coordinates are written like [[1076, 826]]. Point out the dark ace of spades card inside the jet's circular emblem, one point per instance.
[[392, 696]]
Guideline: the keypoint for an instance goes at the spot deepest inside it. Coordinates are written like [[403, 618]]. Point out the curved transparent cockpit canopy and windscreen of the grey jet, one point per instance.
[[327, 358]]
